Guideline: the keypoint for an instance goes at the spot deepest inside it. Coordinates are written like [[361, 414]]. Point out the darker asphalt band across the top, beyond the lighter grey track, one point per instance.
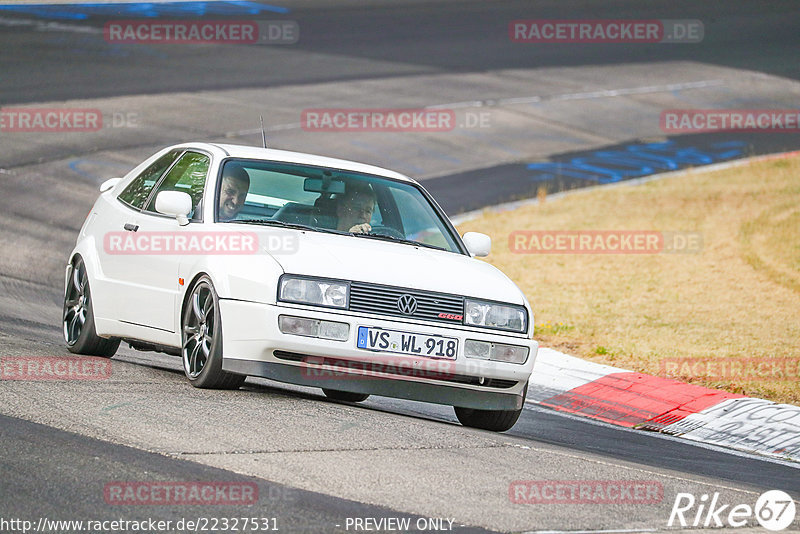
[[396, 39]]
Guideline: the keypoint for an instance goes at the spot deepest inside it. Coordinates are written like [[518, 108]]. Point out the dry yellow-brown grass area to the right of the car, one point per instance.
[[737, 298]]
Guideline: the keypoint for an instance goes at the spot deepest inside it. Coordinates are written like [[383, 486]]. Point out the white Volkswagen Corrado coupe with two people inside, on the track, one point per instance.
[[299, 268]]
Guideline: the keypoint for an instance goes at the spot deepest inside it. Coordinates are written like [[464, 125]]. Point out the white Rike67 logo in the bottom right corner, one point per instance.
[[774, 510]]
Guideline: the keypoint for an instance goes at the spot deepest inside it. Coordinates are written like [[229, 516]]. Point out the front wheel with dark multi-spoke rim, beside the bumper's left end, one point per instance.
[[201, 340]]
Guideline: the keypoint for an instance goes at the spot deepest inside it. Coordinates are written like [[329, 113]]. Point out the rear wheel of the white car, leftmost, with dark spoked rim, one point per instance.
[[77, 317]]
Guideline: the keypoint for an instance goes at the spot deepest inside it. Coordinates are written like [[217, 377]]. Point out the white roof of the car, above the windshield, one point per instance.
[[270, 154]]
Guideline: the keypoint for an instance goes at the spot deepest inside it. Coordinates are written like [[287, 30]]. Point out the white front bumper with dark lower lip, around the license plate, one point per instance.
[[254, 345]]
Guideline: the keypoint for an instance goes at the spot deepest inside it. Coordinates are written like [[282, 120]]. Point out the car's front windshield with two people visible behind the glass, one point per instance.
[[330, 200]]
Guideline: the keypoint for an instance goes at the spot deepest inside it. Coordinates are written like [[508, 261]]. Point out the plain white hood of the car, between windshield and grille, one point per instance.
[[395, 264]]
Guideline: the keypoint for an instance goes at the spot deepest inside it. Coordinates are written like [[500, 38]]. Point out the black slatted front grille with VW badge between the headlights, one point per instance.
[[385, 300]]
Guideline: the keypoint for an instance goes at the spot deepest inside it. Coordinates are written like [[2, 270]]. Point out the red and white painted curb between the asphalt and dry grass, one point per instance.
[[635, 400]]
